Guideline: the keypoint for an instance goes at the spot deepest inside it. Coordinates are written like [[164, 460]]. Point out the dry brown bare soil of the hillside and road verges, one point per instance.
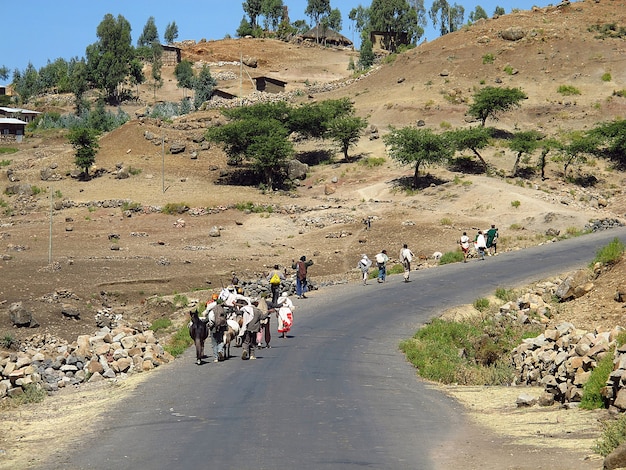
[[322, 219]]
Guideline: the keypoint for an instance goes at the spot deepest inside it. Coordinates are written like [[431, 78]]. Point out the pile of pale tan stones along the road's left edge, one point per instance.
[[50, 363]]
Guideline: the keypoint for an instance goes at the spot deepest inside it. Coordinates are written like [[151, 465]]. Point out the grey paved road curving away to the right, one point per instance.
[[336, 395]]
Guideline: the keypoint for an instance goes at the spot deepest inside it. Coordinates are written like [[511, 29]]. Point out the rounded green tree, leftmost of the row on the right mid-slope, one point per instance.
[[409, 145]]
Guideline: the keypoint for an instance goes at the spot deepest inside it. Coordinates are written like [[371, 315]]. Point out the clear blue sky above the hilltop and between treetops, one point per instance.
[[50, 30]]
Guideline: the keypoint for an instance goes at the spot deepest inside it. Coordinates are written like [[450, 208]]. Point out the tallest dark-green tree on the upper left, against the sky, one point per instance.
[[108, 60]]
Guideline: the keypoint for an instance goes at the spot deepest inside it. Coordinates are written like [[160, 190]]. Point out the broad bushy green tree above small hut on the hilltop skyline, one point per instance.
[[393, 17]]
